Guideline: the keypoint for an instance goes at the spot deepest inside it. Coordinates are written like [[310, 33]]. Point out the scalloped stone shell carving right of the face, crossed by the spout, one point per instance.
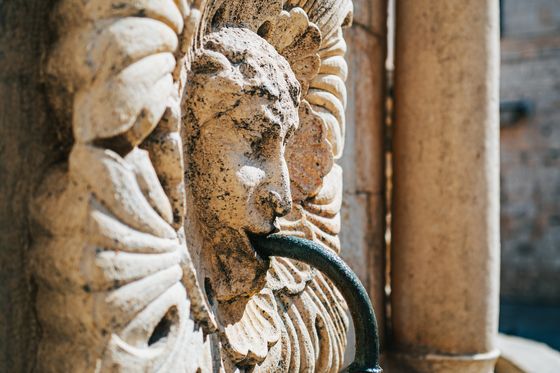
[[307, 34]]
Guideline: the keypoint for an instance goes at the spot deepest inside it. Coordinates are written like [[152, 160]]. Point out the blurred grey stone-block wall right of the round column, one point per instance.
[[530, 152]]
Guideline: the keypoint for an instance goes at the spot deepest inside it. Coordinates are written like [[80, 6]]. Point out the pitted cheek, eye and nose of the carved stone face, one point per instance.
[[243, 162]]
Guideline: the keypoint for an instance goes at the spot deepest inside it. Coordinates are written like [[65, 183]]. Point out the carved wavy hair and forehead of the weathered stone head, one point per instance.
[[238, 73]]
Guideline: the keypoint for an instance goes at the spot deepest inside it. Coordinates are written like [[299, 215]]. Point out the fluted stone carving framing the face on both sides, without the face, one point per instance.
[[116, 264]]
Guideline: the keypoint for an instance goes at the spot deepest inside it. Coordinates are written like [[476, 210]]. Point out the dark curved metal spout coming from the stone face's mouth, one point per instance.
[[365, 324]]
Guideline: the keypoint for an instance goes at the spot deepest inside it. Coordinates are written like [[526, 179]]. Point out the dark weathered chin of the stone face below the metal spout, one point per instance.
[[234, 268]]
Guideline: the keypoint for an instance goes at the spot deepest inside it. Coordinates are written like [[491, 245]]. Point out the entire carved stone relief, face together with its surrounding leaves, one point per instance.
[[190, 126]]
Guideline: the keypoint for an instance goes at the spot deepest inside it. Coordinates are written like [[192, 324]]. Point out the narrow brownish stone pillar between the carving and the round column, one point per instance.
[[363, 213]]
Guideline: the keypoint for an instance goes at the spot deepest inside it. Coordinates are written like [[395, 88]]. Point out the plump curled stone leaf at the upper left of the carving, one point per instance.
[[131, 80]]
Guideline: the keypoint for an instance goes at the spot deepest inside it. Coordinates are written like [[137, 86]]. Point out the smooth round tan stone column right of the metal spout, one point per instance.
[[446, 204]]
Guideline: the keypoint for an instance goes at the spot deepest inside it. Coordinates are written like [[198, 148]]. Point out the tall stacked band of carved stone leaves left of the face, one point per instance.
[[110, 255]]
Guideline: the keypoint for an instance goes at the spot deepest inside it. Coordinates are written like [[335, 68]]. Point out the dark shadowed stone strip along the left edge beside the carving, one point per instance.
[[27, 140]]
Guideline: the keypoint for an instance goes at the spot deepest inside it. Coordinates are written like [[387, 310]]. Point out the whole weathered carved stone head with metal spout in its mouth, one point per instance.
[[242, 107]]
